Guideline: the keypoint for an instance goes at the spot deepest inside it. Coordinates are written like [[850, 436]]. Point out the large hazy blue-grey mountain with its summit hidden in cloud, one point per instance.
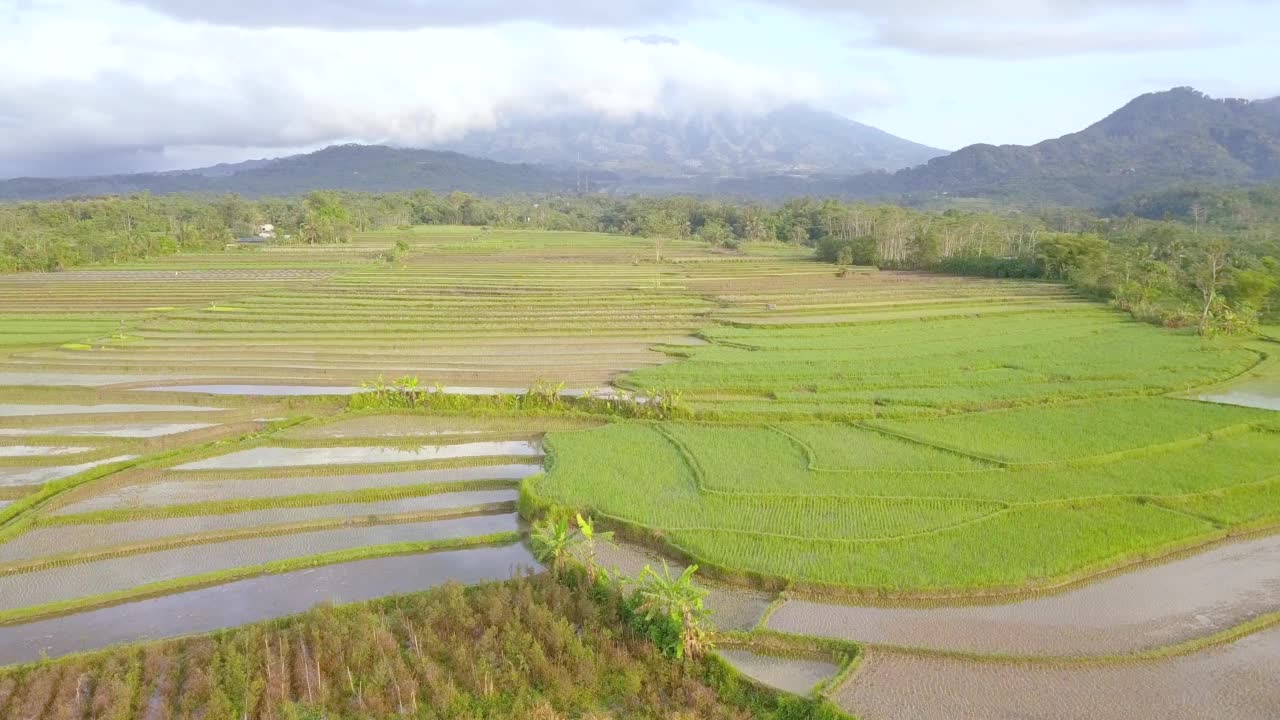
[[792, 140]]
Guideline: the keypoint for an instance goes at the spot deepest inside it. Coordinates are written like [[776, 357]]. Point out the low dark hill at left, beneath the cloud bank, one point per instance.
[[373, 168]]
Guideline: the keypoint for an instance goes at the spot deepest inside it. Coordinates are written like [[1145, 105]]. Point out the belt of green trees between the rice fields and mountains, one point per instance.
[[1200, 257]]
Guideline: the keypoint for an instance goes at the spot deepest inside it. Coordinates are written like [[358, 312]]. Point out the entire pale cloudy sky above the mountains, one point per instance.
[[108, 86]]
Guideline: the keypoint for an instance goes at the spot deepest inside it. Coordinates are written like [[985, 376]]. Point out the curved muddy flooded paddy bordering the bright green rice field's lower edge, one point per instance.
[[1145, 609]]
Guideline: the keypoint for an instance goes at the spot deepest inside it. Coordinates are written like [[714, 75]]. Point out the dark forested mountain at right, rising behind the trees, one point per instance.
[[1158, 140]]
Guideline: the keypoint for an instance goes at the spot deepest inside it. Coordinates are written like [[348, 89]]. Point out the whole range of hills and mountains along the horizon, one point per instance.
[[1158, 142]]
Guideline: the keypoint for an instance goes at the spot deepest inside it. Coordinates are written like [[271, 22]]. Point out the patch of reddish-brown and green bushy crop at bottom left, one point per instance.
[[532, 649]]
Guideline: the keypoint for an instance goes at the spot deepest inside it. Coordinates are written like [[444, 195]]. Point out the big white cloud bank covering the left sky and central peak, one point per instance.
[[132, 81]]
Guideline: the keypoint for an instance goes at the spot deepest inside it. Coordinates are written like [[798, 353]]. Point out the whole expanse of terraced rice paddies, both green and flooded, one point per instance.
[[202, 467]]
